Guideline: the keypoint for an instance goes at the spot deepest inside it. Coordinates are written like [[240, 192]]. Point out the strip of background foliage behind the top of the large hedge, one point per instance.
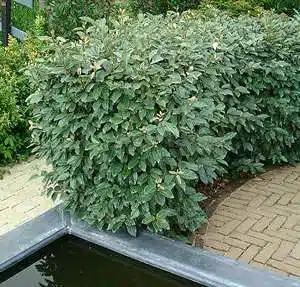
[[64, 16]]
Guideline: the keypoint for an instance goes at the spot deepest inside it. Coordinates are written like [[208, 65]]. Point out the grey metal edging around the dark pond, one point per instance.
[[170, 255]]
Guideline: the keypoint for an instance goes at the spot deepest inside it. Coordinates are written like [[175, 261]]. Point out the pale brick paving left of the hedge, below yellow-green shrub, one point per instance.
[[20, 195]]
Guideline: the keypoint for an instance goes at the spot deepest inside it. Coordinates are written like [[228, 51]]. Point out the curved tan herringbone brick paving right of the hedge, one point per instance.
[[260, 222]]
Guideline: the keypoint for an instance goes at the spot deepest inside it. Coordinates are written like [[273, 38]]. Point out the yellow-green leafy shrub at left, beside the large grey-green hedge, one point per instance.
[[14, 89]]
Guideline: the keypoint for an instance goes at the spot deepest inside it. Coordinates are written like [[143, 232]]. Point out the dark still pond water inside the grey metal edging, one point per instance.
[[71, 262]]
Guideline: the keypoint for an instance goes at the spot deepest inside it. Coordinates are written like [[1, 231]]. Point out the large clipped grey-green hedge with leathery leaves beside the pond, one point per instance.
[[132, 117]]
